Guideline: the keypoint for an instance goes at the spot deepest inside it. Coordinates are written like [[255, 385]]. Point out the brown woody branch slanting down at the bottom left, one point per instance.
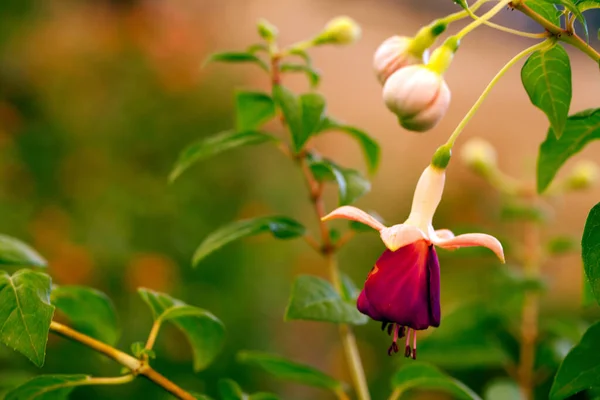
[[136, 366]]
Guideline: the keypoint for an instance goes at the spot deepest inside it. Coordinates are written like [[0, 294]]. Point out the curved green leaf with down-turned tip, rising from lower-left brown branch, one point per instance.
[[204, 331]]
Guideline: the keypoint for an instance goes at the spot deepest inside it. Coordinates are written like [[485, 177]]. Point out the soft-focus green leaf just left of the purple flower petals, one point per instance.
[[314, 299]]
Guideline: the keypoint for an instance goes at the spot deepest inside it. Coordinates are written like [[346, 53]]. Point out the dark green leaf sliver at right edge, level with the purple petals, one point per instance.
[[590, 251]]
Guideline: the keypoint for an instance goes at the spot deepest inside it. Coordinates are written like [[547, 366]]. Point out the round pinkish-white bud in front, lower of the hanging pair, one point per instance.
[[418, 96]]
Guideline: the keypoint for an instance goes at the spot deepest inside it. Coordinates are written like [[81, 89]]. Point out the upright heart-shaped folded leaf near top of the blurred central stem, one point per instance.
[[303, 114]]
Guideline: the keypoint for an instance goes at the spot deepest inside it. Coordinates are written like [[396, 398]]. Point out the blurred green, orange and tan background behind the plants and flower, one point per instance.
[[97, 98]]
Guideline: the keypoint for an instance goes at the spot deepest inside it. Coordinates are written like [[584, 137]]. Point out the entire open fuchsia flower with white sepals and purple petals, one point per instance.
[[403, 288]]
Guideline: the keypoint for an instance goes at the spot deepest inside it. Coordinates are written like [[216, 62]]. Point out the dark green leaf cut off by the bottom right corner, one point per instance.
[[580, 368]]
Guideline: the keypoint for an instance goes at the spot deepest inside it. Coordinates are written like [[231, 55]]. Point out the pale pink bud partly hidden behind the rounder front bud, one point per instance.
[[395, 53]]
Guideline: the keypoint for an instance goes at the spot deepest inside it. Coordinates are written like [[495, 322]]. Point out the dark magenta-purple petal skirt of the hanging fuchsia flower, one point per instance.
[[404, 287]]
